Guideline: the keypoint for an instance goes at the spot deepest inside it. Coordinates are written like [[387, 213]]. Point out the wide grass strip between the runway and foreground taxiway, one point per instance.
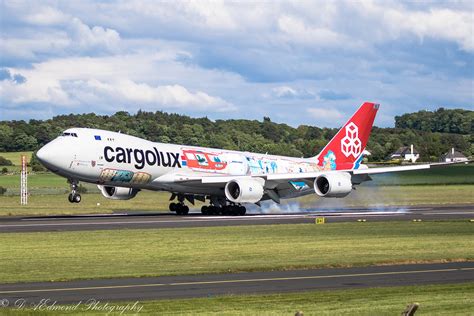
[[136, 253]]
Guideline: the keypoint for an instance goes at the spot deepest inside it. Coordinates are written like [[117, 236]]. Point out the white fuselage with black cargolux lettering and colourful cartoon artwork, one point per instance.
[[115, 159]]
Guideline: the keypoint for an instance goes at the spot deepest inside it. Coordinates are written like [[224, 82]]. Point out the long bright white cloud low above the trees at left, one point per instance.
[[106, 82]]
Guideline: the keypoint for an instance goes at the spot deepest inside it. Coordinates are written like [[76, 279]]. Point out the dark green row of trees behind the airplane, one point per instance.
[[249, 135]]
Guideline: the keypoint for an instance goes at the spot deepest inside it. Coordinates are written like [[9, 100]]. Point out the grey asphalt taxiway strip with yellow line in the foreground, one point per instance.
[[132, 289]]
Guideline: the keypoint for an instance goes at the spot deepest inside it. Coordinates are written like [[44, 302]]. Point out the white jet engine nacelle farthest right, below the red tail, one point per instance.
[[337, 184]]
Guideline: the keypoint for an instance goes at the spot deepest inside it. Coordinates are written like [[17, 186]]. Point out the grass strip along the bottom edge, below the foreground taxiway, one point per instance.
[[447, 299]]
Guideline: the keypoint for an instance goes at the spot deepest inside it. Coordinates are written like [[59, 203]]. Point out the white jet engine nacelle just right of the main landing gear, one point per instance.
[[244, 190]]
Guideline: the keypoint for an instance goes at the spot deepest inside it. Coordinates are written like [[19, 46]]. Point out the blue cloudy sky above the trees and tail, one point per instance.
[[297, 62]]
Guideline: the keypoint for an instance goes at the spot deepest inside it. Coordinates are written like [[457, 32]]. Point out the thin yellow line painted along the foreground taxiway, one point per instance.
[[234, 281]]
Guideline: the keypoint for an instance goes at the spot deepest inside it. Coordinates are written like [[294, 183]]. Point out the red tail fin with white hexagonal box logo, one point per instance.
[[345, 149]]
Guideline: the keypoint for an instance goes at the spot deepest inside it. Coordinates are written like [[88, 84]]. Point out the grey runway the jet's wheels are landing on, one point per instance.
[[168, 220]]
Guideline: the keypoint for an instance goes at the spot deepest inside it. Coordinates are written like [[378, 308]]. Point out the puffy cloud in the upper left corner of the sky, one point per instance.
[[46, 31]]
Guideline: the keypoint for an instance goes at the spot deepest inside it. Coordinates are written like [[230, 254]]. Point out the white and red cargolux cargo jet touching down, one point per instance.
[[122, 165]]
